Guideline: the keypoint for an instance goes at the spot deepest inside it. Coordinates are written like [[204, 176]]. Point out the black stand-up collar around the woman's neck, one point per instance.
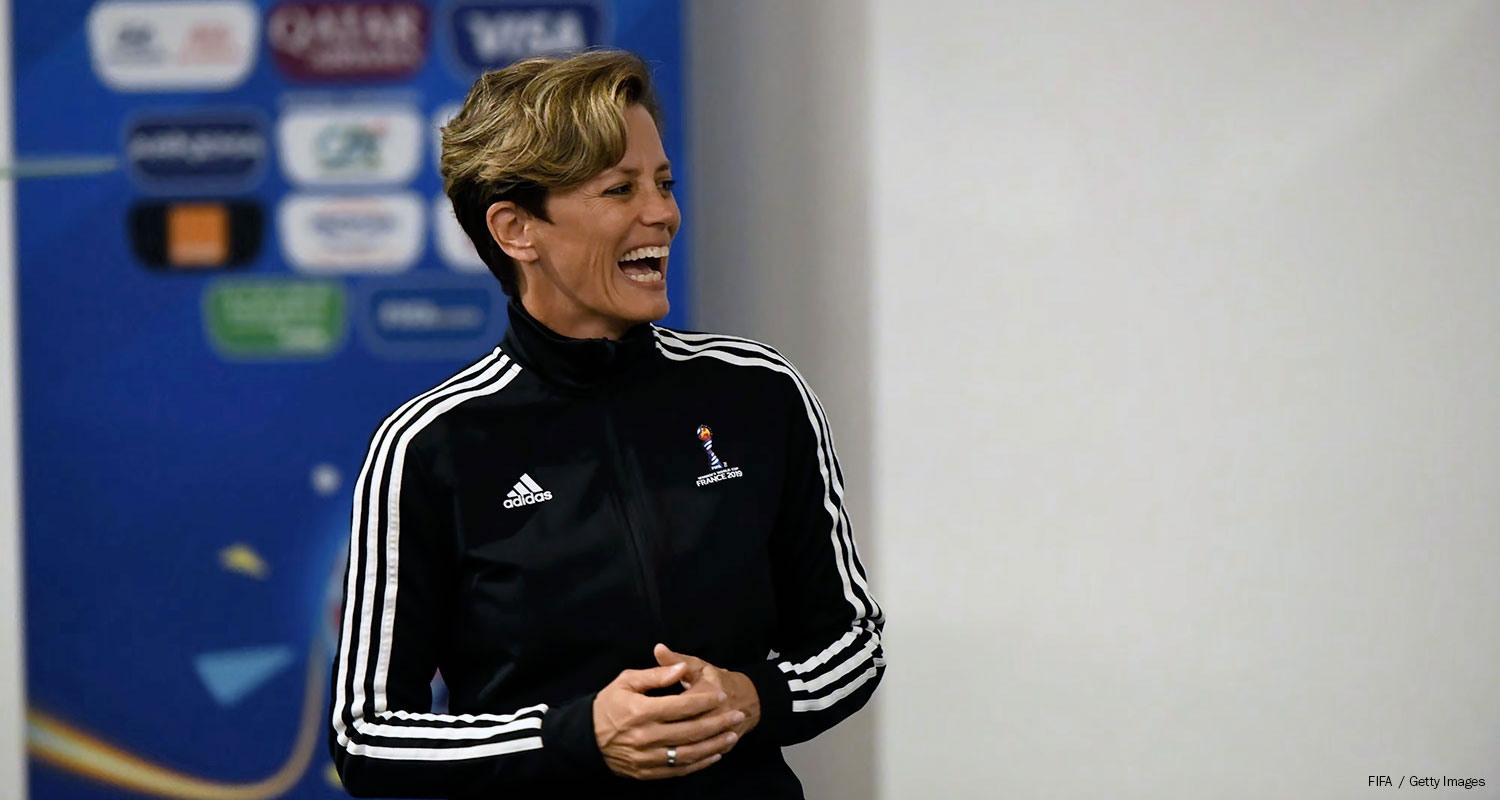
[[575, 364]]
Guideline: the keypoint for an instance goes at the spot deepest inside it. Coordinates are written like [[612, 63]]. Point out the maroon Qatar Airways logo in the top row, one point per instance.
[[349, 41]]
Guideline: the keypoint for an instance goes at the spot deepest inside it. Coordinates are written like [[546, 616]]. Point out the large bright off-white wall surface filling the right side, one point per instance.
[[1186, 355]]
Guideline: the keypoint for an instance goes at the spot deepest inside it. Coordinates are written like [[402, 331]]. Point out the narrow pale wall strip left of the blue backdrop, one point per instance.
[[13, 705]]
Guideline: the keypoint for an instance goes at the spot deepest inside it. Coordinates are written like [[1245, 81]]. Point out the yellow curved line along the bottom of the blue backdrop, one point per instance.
[[68, 748]]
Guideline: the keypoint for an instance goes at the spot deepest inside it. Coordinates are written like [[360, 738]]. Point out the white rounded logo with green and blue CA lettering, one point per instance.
[[350, 145]]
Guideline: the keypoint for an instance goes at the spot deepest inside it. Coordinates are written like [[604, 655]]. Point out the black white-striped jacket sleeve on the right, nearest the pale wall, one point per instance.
[[830, 625]]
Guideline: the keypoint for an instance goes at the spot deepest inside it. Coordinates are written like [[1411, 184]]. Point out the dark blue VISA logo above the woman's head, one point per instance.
[[493, 35]]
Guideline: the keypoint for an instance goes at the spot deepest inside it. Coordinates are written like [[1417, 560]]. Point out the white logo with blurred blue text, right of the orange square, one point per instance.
[[359, 233]]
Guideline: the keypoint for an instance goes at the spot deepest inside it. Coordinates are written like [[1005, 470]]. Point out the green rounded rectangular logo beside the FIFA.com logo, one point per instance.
[[275, 319]]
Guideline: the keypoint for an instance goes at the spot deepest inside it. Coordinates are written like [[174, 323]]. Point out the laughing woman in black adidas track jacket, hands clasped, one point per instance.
[[623, 546]]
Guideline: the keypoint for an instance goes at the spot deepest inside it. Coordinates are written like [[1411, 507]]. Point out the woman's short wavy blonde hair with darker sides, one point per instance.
[[535, 127]]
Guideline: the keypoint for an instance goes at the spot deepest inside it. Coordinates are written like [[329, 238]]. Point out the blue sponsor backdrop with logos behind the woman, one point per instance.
[[193, 429]]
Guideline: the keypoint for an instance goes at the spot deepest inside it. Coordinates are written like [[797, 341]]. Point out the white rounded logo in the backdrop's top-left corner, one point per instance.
[[193, 46]]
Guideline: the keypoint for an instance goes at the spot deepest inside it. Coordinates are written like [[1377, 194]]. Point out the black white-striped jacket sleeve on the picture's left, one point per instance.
[[397, 601]]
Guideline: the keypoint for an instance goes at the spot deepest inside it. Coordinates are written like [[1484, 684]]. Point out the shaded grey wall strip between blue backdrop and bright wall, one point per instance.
[[781, 242]]
